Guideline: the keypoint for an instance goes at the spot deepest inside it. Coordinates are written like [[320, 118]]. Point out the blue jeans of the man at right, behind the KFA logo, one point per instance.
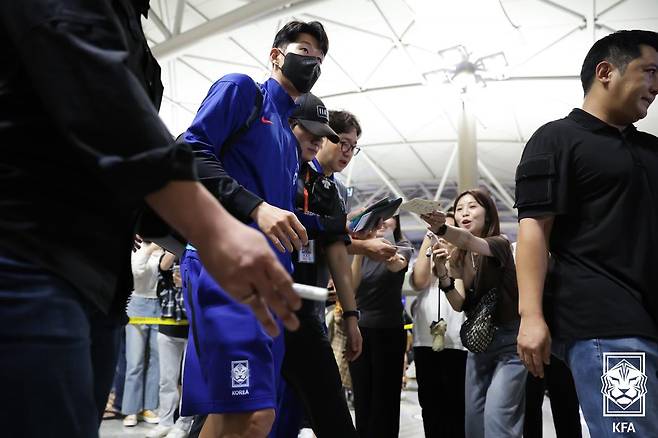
[[587, 358]]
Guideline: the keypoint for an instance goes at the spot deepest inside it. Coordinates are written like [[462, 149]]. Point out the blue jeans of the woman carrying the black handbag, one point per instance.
[[495, 389]]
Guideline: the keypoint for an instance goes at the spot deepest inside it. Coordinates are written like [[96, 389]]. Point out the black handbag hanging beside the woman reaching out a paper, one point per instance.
[[478, 330]]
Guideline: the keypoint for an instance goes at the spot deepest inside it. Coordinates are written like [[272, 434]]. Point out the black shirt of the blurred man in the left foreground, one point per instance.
[[81, 142]]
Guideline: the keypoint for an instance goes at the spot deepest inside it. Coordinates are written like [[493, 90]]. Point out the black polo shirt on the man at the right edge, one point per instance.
[[601, 184]]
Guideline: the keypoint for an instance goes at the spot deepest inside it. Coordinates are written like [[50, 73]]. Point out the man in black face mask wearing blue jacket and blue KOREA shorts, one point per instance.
[[232, 366]]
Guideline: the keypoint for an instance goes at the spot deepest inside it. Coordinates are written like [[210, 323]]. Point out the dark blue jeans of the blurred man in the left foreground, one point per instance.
[[57, 355]]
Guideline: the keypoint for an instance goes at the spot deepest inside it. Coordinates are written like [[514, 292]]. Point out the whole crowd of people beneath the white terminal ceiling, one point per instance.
[[214, 342]]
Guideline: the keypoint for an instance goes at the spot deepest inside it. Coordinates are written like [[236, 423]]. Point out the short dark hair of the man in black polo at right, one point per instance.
[[619, 49]]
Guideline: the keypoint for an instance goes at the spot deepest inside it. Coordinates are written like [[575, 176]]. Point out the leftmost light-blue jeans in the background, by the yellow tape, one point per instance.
[[142, 387]]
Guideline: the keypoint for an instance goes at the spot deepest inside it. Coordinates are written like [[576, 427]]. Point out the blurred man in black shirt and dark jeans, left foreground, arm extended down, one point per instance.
[[81, 149]]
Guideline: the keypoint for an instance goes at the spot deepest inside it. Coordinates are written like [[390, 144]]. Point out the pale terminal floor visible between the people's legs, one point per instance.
[[411, 425]]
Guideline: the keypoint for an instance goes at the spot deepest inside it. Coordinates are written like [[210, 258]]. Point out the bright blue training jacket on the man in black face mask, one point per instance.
[[265, 159]]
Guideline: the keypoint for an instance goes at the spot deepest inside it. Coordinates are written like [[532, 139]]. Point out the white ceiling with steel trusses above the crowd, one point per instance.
[[392, 62]]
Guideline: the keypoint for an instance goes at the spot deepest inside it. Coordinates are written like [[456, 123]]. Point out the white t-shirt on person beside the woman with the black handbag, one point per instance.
[[426, 311]]
